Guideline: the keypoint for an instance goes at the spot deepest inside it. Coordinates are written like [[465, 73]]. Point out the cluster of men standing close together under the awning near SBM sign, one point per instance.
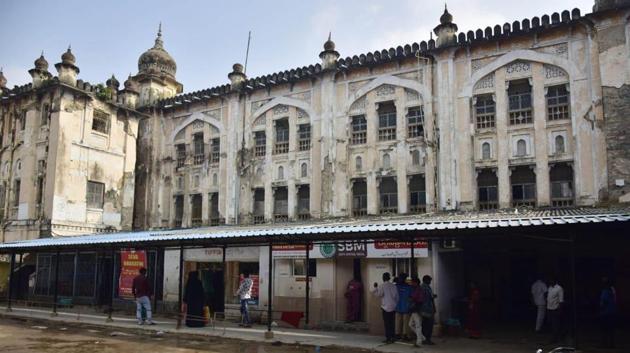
[[407, 306]]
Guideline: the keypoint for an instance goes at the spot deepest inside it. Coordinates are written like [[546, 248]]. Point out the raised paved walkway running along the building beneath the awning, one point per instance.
[[231, 330]]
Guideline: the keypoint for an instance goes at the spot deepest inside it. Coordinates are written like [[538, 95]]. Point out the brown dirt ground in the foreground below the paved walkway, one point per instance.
[[22, 336]]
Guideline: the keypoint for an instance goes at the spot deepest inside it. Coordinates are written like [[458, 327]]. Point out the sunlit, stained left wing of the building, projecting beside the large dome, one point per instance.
[[68, 154]]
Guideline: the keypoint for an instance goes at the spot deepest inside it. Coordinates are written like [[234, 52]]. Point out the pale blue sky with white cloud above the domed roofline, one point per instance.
[[207, 37]]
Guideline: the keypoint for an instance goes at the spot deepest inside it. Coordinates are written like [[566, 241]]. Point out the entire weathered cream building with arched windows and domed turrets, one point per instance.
[[528, 115]]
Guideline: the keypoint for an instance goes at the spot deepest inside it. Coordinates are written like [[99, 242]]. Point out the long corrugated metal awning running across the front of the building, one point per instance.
[[441, 224]]
